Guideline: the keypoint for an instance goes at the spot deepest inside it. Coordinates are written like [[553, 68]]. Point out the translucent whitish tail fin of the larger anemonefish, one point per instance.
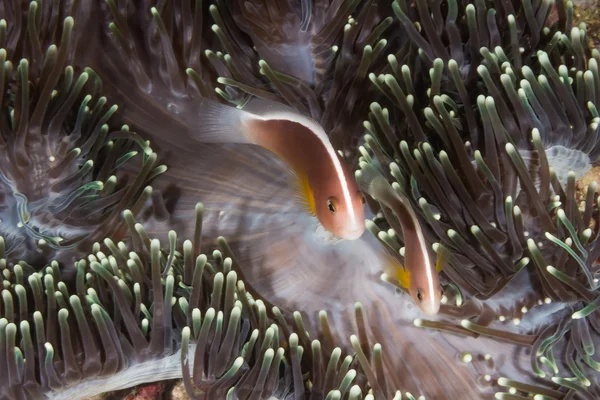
[[213, 122]]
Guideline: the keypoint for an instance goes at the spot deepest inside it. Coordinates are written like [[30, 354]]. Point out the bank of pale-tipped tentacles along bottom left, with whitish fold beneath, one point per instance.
[[137, 313]]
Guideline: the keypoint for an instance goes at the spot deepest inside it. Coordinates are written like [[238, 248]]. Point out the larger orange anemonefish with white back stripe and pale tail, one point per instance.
[[327, 188]]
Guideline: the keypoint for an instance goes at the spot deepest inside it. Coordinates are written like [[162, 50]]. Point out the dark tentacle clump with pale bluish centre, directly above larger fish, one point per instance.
[[328, 81]]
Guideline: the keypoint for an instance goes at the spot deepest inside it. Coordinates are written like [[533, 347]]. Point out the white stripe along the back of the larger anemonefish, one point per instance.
[[314, 127]]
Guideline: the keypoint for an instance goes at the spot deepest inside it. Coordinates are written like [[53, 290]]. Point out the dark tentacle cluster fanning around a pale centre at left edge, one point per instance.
[[63, 177]]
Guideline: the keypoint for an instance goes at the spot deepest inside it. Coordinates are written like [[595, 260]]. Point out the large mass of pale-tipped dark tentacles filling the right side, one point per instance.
[[508, 121]]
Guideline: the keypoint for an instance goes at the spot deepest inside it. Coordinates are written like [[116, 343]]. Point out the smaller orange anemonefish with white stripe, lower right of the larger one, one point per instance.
[[419, 275]]
